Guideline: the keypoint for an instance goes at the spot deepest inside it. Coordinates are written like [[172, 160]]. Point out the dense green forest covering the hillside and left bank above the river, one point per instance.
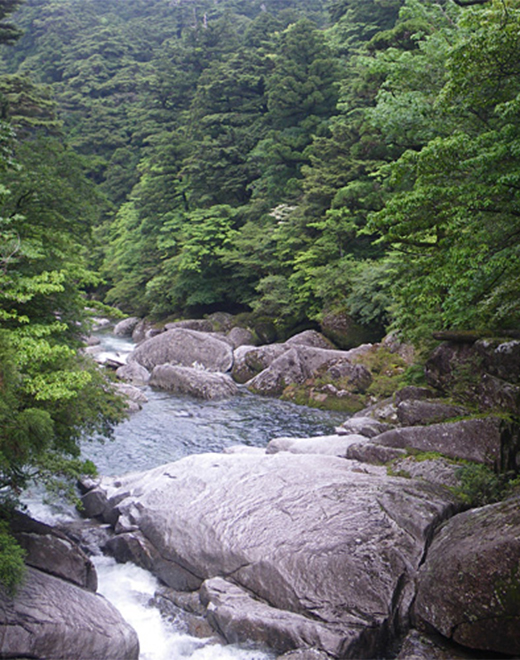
[[284, 159]]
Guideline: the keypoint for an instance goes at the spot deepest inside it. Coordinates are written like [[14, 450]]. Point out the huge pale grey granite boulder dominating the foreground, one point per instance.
[[311, 548]]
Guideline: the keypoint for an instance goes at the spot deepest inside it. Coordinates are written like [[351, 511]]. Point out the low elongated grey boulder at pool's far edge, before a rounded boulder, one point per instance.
[[202, 384]]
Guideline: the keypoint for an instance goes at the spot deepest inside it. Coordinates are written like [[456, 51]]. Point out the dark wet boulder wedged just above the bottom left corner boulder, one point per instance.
[[51, 551]]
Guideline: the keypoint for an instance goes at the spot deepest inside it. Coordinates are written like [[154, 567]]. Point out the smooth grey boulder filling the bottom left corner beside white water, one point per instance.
[[51, 618]]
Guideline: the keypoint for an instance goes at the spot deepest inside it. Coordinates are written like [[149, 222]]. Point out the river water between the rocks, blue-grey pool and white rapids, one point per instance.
[[166, 429]]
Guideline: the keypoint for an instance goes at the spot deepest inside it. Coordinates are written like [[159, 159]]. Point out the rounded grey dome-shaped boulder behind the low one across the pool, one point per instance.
[[185, 348]]
